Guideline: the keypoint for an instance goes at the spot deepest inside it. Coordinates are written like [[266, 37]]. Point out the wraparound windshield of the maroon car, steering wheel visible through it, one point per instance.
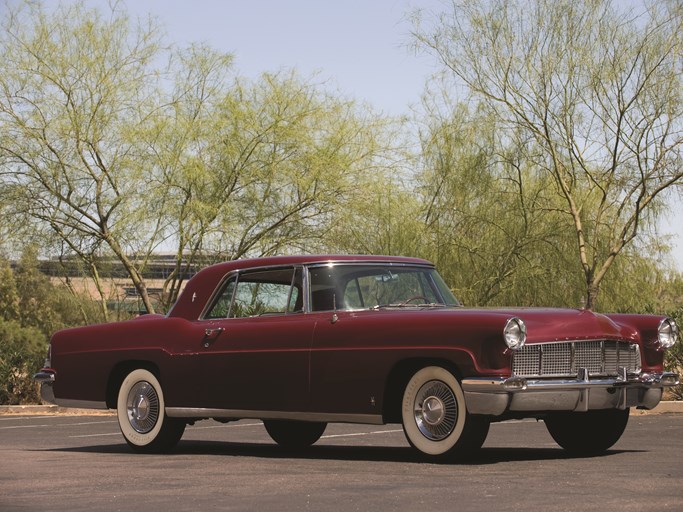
[[354, 286]]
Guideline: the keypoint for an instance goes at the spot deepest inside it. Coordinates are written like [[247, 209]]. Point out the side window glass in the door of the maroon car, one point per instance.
[[261, 292]]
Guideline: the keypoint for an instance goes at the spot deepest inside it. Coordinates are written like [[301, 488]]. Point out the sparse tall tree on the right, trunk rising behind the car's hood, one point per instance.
[[596, 93]]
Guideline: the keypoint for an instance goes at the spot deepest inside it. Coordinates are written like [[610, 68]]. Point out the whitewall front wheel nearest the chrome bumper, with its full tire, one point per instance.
[[435, 418]]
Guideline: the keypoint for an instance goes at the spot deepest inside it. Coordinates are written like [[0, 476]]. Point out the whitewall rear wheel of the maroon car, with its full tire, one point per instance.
[[141, 413]]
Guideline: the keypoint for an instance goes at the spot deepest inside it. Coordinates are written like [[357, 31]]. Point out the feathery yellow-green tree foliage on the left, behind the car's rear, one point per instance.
[[104, 153]]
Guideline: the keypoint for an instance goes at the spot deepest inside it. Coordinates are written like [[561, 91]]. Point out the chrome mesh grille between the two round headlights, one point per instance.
[[564, 359]]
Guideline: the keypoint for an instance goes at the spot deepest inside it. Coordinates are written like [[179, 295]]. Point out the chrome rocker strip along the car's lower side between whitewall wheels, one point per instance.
[[195, 412]]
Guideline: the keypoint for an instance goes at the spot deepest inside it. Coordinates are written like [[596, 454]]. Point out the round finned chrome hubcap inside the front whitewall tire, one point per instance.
[[436, 410]]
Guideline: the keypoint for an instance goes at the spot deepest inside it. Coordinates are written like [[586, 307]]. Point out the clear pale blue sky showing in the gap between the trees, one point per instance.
[[358, 46]]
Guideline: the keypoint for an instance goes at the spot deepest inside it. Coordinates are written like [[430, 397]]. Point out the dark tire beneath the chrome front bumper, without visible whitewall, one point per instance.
[[587, 433]]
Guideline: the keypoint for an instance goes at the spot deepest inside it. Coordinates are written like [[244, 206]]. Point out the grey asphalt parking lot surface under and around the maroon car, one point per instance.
[[74, 463]]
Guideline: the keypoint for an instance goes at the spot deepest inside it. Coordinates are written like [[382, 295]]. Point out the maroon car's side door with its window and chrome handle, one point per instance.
[[255, 353]]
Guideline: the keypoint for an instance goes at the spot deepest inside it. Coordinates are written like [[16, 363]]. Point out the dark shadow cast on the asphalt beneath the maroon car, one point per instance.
[[484, 456]]
